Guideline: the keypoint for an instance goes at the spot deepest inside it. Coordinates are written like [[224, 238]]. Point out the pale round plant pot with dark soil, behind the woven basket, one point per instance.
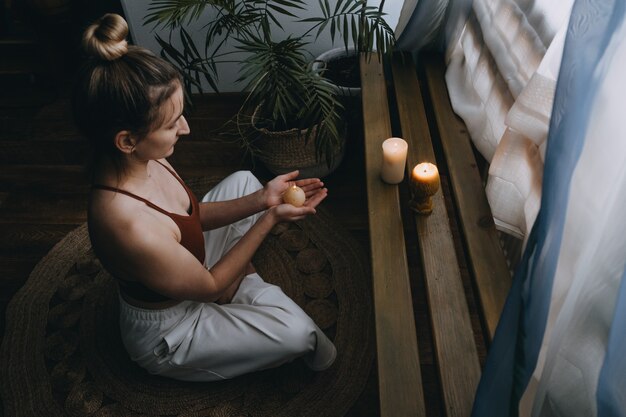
[[341, 67]]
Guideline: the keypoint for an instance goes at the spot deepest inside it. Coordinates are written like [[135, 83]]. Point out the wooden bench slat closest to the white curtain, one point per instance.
[[487, 261]]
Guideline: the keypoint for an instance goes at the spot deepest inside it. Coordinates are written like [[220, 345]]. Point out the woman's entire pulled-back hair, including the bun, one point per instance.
[[119, 87]]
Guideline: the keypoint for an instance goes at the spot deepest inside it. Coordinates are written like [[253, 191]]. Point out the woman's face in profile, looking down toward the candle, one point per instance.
[[159, 143]]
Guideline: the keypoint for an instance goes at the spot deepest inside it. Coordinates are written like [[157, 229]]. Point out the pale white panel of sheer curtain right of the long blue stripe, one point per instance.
[[591, 258]]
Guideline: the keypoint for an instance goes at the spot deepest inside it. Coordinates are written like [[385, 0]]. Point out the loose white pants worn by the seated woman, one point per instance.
[[261, 328]]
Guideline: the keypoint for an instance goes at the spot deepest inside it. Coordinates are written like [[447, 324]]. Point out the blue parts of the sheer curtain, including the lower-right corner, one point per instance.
[[513, 355]]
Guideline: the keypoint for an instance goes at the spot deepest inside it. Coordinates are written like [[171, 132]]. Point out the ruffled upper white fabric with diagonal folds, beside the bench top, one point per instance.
[[501, 46]]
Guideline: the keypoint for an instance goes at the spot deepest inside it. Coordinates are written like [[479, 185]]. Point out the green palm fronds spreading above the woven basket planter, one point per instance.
[[280, 83]]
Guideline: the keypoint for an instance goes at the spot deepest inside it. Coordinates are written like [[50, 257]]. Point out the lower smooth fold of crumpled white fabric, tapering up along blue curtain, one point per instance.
[[516, 170]]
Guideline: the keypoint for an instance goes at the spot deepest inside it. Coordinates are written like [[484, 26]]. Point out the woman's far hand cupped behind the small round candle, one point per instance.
[[313, 188]]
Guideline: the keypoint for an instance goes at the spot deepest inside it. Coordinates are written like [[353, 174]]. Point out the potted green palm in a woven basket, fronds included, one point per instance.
[[289, 103]]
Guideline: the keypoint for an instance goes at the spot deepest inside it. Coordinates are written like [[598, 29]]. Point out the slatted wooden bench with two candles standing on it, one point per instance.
[[400, 381]]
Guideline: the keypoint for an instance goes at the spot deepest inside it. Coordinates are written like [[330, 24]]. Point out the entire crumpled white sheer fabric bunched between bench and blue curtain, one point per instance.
[[502, 57]]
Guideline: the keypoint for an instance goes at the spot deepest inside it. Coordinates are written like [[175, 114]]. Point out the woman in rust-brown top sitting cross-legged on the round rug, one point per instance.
[[191, 305]]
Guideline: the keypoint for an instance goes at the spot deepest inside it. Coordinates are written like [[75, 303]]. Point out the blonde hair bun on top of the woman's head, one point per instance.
[[106, 37]]
